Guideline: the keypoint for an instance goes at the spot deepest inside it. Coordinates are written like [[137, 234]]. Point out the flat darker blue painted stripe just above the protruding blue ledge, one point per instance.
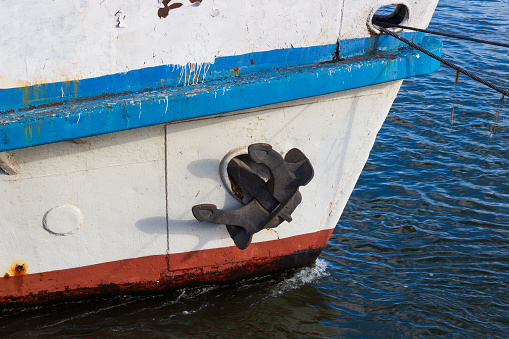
[[173, 76]]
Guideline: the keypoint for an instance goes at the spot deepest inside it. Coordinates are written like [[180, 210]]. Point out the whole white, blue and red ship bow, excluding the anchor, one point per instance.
[[97, 194]]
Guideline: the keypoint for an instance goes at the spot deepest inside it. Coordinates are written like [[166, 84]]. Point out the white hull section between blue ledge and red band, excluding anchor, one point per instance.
[[118, 181]]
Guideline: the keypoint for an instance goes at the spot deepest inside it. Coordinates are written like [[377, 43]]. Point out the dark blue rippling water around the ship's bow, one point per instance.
[[422, 249]]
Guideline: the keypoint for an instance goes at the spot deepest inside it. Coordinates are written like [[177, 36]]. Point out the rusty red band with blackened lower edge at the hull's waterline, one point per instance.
[[152, 274]]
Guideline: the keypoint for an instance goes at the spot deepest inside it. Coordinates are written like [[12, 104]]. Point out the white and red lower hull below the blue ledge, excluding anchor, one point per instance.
[[135, 190]]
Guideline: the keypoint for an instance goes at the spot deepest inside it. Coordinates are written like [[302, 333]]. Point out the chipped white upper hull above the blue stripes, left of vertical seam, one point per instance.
[[58, 40]]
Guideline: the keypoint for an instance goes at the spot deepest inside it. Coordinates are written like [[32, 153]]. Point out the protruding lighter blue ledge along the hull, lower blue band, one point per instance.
[[105, 115]]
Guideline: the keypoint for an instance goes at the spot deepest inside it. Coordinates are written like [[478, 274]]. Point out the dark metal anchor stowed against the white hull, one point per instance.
[[268, 186]]
